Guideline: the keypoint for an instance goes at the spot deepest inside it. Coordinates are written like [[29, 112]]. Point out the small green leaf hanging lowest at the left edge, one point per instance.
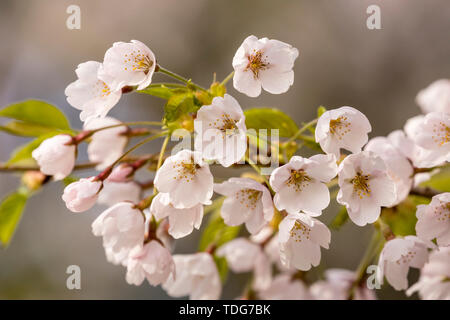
[[11, 209]]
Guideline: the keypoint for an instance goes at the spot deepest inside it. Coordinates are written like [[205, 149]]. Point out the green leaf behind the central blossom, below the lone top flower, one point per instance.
[[269, 118]]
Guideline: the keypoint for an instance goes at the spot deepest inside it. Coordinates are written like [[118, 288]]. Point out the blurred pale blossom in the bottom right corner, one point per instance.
[[433, 283]]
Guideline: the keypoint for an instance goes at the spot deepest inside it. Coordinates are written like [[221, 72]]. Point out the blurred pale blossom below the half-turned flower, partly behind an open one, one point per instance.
[[243, 255]]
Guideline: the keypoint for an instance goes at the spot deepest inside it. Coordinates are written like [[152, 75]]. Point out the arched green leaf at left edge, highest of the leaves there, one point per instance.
[[36, 112]]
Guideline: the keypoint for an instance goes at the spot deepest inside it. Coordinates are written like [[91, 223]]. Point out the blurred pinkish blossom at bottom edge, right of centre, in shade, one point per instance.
[[338, 285]]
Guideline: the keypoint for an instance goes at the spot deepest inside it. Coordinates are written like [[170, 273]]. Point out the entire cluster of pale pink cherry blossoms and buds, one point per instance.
[[139, 229]]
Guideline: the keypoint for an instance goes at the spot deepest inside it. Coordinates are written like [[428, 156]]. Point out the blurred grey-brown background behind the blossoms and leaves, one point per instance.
[[341, 62]]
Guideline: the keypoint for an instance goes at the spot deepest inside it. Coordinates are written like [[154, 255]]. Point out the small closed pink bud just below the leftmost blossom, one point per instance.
[[81, 195]]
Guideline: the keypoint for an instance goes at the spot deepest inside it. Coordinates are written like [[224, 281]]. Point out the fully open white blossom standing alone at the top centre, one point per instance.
[[263, 63]]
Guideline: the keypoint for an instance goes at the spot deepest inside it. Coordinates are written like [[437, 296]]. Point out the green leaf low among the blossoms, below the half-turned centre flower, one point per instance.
[[217, 232]]
